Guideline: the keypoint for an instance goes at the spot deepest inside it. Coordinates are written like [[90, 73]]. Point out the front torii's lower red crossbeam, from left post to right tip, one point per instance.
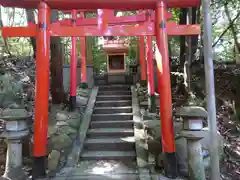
[[146, 29]]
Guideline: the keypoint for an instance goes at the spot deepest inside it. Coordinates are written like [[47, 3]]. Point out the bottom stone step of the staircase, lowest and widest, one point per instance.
[[109, 155]]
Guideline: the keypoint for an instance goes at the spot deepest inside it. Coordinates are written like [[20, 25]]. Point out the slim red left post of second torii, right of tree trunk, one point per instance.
[[73, 63]]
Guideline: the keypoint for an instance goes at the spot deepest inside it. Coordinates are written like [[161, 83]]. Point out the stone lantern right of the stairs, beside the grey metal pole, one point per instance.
[[193, 117]]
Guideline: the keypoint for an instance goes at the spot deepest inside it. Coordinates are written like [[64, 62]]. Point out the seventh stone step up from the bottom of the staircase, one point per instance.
[[113, 103]]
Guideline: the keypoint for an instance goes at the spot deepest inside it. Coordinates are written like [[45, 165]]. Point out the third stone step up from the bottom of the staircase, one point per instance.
[[110, 132]]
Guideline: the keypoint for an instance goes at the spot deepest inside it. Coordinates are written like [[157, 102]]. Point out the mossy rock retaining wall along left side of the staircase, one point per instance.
[[63, 131]]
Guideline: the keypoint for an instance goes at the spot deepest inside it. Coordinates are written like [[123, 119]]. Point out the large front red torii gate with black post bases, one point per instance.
[[160, 28]]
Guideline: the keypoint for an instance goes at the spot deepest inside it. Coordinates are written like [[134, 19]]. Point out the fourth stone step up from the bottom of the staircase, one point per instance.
[[112, 124]]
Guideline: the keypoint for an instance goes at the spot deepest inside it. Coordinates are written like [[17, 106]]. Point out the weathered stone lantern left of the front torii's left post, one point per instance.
[[14, 129]]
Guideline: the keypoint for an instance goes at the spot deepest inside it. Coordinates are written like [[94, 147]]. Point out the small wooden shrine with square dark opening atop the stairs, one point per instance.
[[116, 51]]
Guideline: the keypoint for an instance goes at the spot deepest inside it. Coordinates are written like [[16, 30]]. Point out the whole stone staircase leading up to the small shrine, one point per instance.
[[111, 134]]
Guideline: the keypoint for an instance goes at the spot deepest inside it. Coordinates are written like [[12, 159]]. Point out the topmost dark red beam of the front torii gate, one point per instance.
[[99, 4]]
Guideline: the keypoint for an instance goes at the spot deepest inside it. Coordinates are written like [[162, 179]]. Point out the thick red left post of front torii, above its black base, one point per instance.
[[42, 84]]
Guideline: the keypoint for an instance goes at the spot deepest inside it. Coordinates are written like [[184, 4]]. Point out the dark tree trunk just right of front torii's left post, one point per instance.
[[57, 89]]
